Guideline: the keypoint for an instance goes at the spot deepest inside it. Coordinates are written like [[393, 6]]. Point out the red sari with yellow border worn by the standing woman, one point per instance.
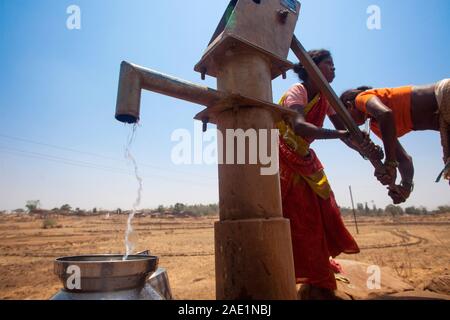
[[317, 229]]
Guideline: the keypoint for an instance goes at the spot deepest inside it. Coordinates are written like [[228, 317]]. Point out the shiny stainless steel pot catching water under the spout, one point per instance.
[[109, 277]]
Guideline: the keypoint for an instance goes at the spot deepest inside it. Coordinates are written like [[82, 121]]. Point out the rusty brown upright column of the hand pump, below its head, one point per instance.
[[253, 245]]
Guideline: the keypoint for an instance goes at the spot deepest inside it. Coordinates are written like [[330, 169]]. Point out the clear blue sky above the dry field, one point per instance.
[[59, 142]]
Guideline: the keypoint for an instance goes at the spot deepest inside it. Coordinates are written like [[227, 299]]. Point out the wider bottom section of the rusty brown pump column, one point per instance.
[[251, 260]]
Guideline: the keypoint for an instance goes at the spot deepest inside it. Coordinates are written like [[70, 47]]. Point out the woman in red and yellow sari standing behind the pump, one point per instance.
[[317, 229]]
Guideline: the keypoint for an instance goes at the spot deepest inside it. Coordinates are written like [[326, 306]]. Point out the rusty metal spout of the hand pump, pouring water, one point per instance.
[[134, 78]]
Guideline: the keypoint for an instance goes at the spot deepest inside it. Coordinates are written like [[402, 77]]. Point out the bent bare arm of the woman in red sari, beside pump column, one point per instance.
[[306, 129]]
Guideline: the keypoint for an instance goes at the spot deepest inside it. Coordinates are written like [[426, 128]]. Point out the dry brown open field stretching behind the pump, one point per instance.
[[417, 249]]
